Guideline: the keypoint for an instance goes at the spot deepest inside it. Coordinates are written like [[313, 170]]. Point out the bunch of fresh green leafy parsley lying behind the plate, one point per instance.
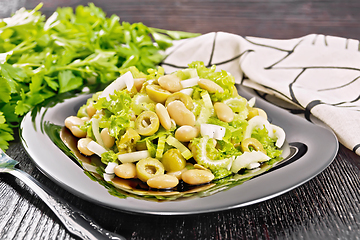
[[40, 58]]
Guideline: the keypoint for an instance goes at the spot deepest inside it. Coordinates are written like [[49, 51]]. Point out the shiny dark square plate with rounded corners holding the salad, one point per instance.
[[320, 143]]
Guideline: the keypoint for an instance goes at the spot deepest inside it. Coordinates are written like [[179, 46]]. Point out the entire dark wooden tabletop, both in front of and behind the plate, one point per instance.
[[326, 207]]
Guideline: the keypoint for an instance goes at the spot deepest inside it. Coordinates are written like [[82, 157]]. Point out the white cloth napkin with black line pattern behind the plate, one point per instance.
[[320, 74]]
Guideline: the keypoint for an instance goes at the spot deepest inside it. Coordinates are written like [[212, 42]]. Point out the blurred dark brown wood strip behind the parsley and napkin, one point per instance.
[[271, 19]]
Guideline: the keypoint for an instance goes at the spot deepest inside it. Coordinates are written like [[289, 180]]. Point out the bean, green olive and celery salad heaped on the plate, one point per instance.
[[163, 135]]
